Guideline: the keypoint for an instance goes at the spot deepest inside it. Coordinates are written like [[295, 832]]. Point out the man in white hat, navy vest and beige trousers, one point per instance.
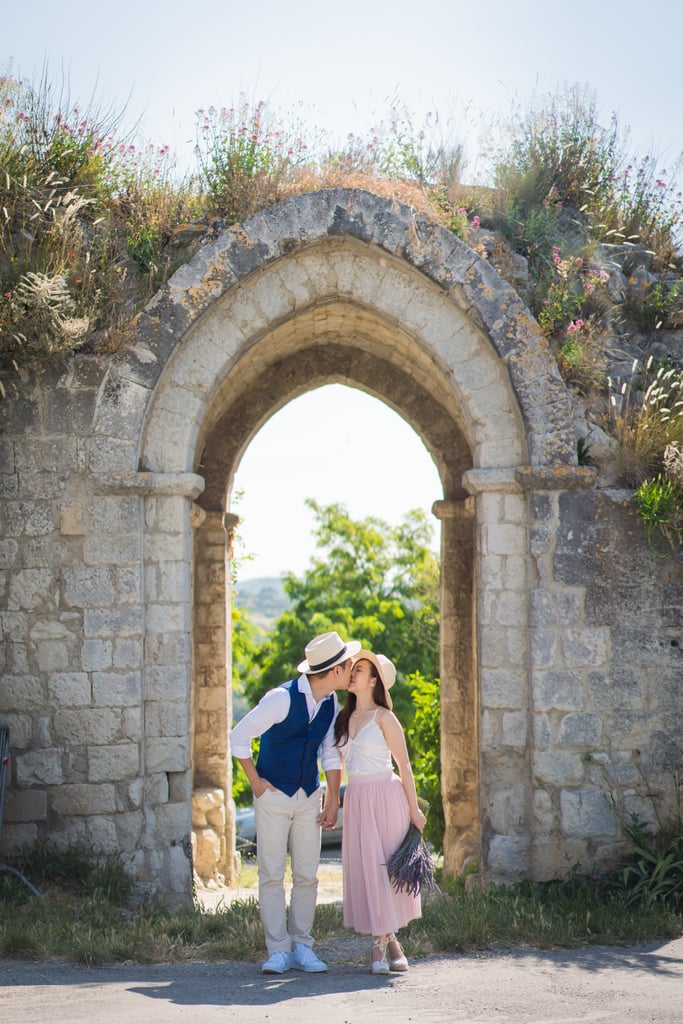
[[295, 722]]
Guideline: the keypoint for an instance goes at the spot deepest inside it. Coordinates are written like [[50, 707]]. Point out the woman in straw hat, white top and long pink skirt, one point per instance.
[[379, 806]]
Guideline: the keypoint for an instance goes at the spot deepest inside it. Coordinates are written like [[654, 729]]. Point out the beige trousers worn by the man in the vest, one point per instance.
[[287, 823]]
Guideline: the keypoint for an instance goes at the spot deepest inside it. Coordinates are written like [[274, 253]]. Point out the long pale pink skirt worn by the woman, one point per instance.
[[376, 820]]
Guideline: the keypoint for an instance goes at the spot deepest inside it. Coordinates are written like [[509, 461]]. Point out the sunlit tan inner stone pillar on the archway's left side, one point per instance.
[[214, 825]]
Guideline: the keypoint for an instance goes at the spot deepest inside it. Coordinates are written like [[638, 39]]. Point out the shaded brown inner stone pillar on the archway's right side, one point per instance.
[[459, 703]]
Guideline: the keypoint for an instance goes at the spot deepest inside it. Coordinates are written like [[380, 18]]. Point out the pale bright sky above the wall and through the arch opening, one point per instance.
[[339, 67]]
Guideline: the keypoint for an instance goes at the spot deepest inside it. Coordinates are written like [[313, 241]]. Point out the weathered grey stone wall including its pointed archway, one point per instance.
[[561, 631]]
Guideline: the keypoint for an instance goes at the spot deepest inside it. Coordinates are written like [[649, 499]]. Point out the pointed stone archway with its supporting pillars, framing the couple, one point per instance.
[[349, 288]]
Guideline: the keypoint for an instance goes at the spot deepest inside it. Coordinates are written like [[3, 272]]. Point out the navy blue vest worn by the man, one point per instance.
[[288, 753]]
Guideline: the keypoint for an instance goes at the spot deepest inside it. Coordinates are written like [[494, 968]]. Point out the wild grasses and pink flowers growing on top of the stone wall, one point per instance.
[[93, 224]]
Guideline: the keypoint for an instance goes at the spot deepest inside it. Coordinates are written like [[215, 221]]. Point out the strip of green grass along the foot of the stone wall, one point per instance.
[[100, 927]]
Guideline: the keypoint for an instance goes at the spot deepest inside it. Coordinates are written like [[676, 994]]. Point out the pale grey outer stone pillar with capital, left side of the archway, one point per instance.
[[163, 855]]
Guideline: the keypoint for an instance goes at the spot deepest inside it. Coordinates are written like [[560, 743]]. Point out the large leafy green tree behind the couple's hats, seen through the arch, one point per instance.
[[371, 582]]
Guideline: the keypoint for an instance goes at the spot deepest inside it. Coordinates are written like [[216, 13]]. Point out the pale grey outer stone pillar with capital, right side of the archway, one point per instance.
[[515, 580]]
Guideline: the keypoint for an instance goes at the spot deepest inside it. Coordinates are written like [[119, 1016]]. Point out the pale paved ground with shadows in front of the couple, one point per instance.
[[607, 986]]
